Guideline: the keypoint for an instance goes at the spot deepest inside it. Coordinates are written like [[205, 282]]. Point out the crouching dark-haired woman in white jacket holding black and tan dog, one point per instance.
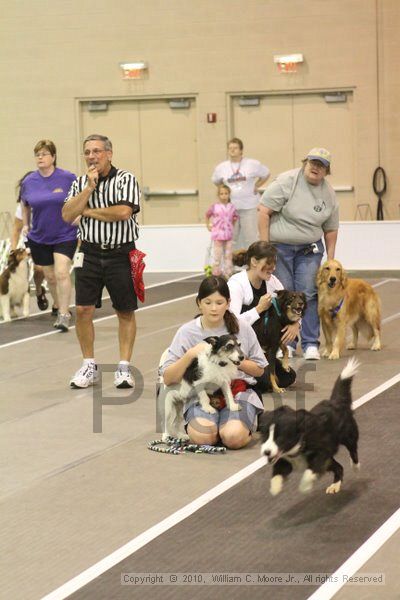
[[252, 291]]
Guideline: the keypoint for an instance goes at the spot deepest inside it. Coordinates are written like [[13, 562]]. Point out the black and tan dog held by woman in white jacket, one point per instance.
[[286, 308]]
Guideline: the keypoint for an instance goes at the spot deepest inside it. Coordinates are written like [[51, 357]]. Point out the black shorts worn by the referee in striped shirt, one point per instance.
[[105, 268]]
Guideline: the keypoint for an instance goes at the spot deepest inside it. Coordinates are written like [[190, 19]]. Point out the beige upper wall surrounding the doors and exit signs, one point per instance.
[[57, 51]]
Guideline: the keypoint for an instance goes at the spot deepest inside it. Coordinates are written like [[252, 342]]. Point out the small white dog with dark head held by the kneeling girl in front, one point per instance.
[[213, 369]]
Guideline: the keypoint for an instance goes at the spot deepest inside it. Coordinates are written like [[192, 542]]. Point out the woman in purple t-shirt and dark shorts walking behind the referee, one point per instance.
[[52, 241]]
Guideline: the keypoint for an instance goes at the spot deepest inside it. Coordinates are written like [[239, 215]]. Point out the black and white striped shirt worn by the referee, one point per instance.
[[118, 187]]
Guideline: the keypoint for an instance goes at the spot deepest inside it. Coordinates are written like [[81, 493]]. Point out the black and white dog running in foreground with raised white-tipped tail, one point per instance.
[[310, 439]]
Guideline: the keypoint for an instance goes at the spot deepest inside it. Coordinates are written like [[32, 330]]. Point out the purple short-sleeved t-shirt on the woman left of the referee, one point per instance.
[[45, 196]]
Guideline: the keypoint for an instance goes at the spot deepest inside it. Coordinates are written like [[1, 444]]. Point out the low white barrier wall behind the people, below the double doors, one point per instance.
[[362, 245]]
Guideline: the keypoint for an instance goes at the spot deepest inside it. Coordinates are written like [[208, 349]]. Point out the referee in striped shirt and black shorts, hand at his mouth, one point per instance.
[[107, 200]]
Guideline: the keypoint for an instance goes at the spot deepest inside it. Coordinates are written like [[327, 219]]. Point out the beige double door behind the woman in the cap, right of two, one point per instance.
[[283, 128]]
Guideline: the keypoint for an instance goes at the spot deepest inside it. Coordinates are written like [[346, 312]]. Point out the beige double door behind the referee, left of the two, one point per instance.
[[157, 142]]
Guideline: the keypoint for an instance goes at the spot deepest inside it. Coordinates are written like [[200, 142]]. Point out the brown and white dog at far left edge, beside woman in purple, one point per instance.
[[14, 284]]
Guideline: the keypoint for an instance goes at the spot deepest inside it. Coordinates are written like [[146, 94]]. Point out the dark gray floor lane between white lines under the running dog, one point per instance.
[[247, 531]]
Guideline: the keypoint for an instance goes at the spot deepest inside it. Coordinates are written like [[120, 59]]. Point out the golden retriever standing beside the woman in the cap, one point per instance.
[[346, 302]]
